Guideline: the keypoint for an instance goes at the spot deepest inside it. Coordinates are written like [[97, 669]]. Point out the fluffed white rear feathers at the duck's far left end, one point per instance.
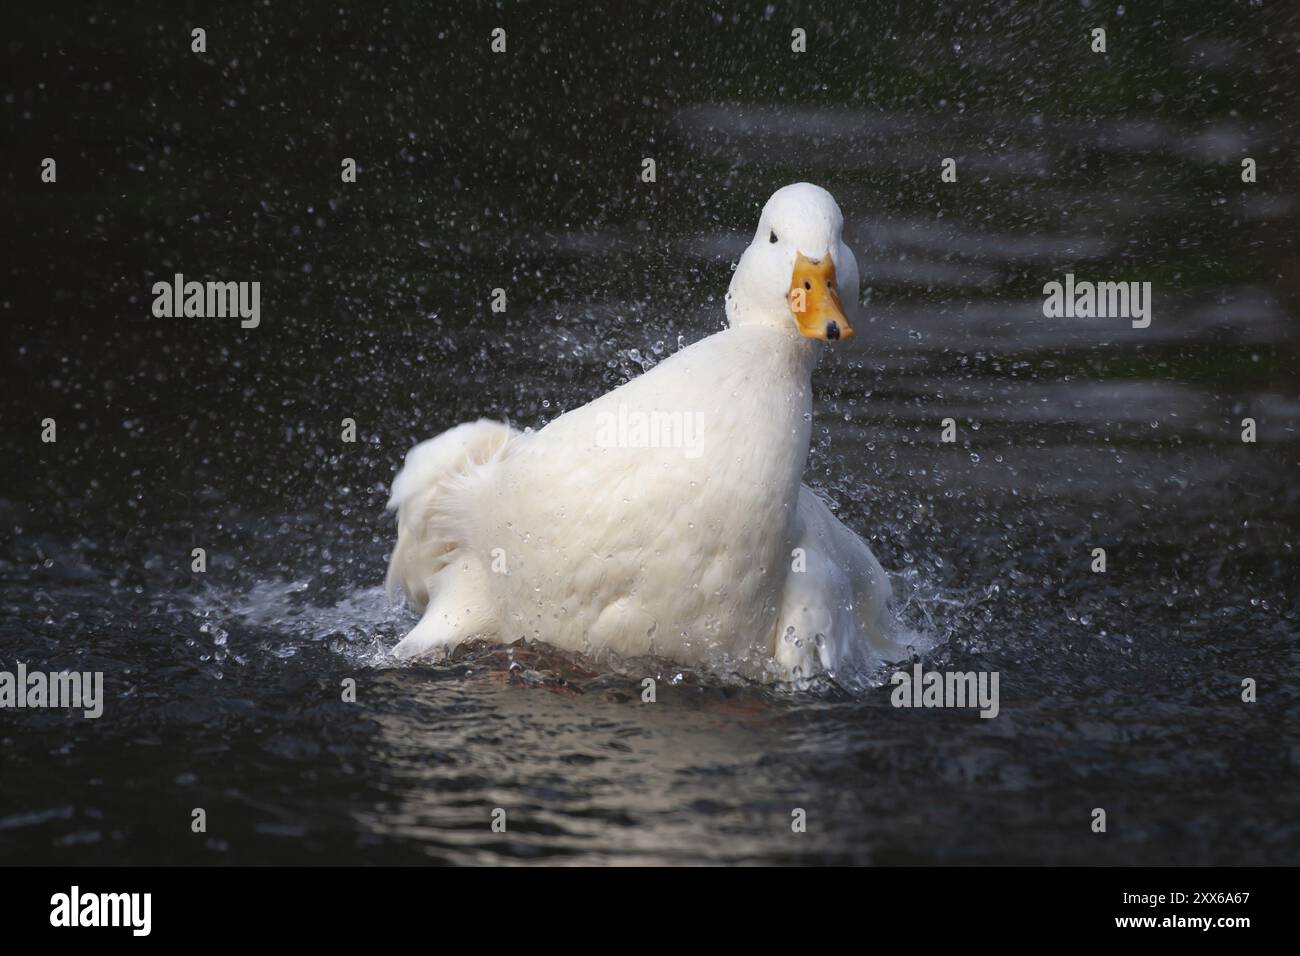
[[435, 518]]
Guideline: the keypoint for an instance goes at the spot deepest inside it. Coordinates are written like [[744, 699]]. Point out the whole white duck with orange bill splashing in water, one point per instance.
[[666, 517]]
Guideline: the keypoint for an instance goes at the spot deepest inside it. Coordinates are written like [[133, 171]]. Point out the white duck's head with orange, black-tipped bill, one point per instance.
[[798, 274]]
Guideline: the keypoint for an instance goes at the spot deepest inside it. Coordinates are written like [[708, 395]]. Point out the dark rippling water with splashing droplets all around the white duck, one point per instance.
[[1119, 691]]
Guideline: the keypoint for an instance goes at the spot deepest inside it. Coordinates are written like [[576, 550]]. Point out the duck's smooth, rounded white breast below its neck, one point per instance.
[[656, 520]]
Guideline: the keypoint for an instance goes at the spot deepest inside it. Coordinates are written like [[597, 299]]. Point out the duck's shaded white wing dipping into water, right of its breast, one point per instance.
[[835, 608]]
